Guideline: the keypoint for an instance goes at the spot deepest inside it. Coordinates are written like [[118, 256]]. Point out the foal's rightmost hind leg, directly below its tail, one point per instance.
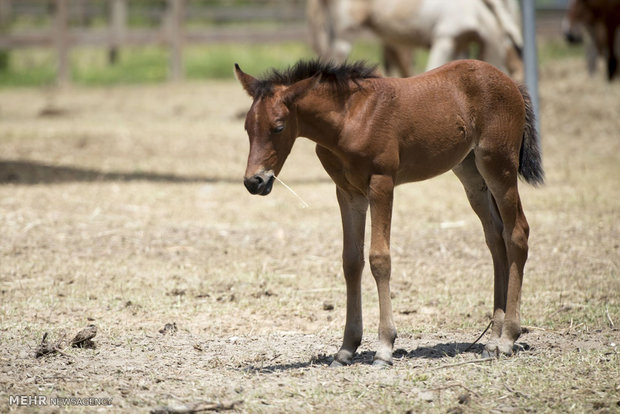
[[499, 170]]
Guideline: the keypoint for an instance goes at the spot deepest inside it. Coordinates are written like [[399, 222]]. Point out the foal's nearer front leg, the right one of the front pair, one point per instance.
[[380, 196]]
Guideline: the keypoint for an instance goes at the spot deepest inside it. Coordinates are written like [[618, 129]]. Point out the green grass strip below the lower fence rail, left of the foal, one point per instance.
[[36, 67]]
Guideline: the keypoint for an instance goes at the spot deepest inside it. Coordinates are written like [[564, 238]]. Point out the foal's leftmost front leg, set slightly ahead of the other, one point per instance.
[[353, 209]]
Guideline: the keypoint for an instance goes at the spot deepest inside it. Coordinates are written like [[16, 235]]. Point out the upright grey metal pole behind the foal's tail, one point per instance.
[[530, 55]]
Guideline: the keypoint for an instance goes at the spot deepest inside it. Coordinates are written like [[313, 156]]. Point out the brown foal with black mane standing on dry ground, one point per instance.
[[373, 133]]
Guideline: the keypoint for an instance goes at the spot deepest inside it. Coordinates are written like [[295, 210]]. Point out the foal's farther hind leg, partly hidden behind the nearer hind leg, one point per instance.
[[484, 206]]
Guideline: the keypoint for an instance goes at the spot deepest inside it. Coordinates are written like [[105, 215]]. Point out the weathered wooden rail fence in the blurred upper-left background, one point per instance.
[[285, 19]]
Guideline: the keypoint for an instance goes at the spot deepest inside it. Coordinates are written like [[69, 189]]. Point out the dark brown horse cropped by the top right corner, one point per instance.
[[599, 19]]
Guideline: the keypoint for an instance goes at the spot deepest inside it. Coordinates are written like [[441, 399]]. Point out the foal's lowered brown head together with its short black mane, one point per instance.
[[272, 122]]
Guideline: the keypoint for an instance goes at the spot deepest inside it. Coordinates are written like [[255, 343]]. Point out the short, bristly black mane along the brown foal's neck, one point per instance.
[[337, 75]]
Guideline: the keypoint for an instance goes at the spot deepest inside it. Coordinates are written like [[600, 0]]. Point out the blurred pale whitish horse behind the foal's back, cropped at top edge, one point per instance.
[[447, 27]]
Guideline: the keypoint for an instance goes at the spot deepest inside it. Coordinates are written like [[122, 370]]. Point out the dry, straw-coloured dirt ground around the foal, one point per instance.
[[124, 208]]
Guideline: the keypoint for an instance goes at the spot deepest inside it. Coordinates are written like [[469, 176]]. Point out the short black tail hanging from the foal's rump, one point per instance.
[[530, 157]]
